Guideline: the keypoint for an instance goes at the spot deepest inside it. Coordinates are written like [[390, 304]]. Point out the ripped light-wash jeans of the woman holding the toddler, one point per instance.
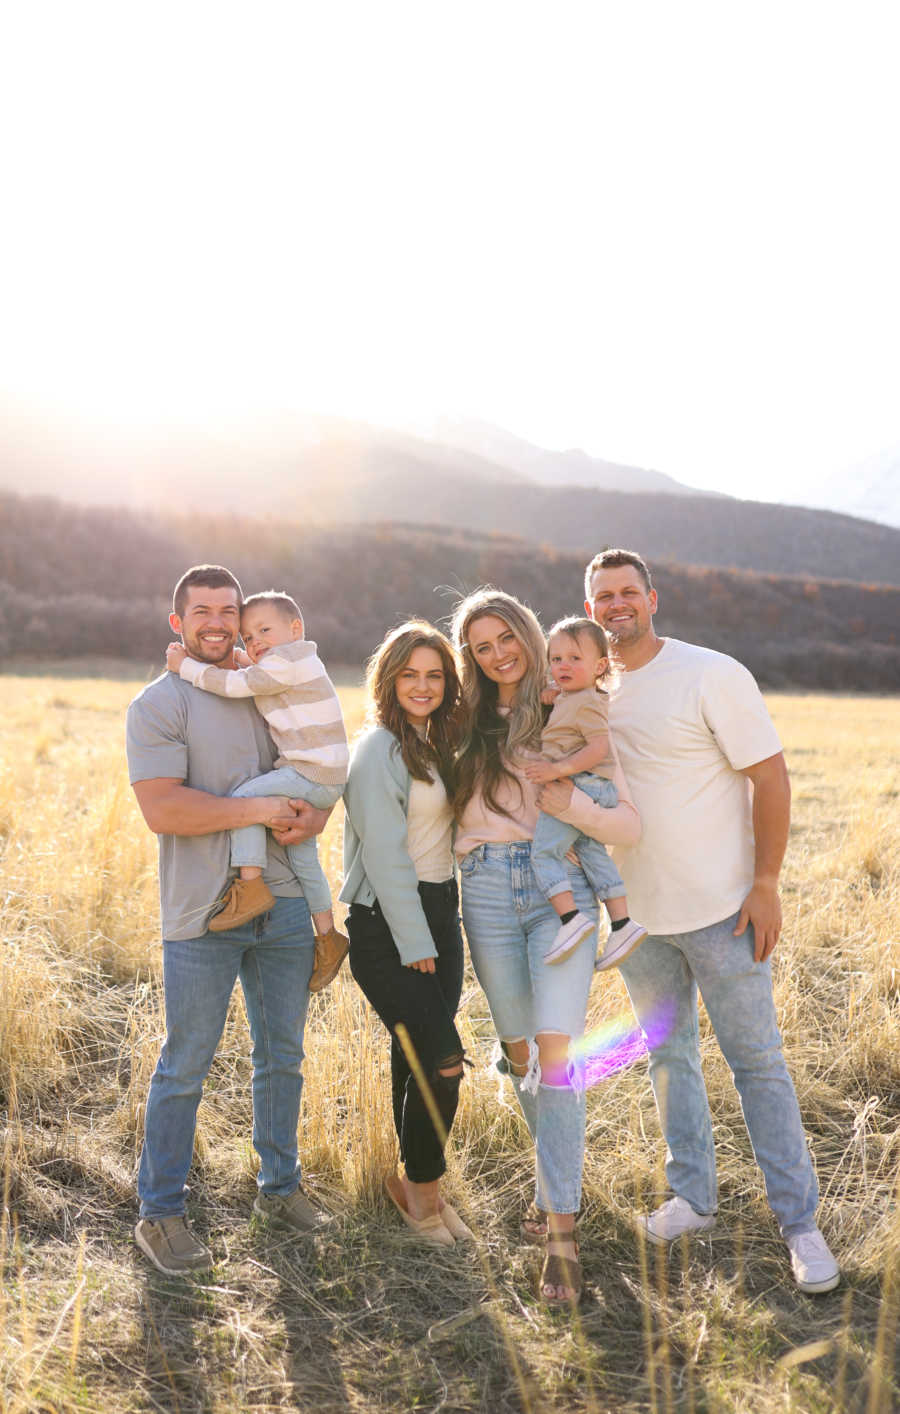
[[510, 927]]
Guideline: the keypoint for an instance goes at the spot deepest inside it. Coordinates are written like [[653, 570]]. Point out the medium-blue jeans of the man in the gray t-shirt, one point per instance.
[[274, 958]]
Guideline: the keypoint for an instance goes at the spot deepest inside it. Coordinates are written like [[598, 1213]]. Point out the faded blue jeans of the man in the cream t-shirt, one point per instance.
[[667, 972]]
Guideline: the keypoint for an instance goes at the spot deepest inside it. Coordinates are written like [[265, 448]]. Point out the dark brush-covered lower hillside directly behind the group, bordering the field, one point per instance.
[[84, 582]]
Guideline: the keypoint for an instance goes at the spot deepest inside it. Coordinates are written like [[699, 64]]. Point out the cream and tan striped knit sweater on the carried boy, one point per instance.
[[295, 695]]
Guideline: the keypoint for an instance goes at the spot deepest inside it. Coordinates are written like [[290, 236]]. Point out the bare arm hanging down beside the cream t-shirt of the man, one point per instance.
[[772, 822]]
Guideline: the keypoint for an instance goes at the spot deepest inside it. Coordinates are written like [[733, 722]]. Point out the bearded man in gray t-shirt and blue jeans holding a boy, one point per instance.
[[187, 752]]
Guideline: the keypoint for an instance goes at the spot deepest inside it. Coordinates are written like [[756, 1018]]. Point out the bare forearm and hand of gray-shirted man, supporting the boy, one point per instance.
[[172, 808]]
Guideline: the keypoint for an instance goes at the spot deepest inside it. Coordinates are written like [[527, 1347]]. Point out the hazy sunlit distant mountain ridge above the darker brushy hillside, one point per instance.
[[345, 473]]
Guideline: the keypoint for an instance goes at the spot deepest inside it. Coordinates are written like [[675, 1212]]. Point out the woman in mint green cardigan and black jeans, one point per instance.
[[405, 944]]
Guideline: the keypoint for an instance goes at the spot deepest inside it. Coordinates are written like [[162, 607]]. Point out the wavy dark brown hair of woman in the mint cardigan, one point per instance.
[[438, 747]]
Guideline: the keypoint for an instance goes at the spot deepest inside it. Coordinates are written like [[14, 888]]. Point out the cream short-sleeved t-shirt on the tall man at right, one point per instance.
[[686, 726]]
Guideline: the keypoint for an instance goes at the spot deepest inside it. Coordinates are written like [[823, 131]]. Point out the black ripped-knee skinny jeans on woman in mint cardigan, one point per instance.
[[427, 1005]]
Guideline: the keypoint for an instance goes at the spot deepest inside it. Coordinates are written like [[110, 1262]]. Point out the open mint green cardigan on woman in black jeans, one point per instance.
[[377, 863]]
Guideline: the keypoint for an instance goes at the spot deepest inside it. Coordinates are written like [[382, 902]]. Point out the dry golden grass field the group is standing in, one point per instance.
[[360, 1320]]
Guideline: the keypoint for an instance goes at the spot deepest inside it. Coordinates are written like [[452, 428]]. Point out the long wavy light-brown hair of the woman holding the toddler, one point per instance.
[[490, 739]]
